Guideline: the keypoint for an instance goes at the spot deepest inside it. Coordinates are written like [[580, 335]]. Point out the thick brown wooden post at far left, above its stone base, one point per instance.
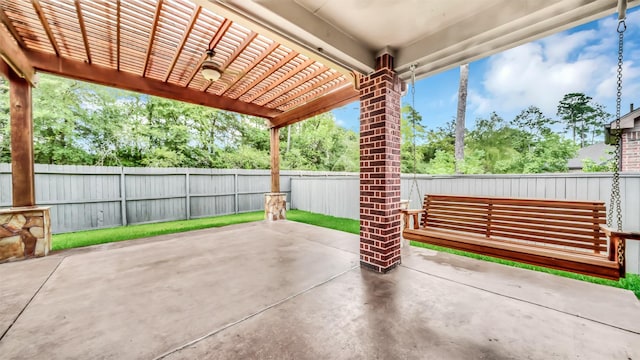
[[22, 169]]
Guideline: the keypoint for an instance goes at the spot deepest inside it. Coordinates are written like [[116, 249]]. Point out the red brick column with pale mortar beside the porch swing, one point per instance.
[[380, 95]]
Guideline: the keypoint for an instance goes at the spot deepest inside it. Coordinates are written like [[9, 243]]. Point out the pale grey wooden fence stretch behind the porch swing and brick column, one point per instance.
[[339, 195]]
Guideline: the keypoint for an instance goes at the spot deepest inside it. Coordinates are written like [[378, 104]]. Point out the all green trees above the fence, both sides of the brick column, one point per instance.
[[79, 123]]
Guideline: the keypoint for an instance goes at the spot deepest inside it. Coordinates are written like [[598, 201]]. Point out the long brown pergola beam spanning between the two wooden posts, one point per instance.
[[111, 77]]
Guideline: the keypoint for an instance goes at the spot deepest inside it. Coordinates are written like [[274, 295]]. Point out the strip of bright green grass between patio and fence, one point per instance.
[[93, 237]]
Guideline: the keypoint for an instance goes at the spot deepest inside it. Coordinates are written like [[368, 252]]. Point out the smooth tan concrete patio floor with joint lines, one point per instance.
[[286, 290]]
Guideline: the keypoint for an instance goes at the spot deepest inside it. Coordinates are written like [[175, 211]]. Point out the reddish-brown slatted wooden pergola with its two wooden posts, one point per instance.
[[157, 48]]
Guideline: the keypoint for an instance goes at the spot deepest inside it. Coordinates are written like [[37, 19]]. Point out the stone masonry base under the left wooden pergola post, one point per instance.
[[24, 233]]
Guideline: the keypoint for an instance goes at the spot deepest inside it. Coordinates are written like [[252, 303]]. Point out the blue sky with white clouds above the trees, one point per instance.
[[582, 59]]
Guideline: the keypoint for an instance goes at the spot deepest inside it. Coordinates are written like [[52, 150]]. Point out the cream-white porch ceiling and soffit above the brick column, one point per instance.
[[436, 35]]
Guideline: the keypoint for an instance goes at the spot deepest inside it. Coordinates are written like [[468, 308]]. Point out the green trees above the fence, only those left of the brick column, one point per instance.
[[80, 123]]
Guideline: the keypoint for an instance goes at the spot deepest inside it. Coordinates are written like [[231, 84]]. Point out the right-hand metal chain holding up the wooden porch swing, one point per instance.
[[615, 203]]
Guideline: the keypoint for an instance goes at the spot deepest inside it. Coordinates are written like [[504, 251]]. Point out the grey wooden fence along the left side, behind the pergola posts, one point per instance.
[[91, 197]]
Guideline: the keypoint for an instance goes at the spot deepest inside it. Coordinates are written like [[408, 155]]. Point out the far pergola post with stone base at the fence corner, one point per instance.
[[275, 202]]
